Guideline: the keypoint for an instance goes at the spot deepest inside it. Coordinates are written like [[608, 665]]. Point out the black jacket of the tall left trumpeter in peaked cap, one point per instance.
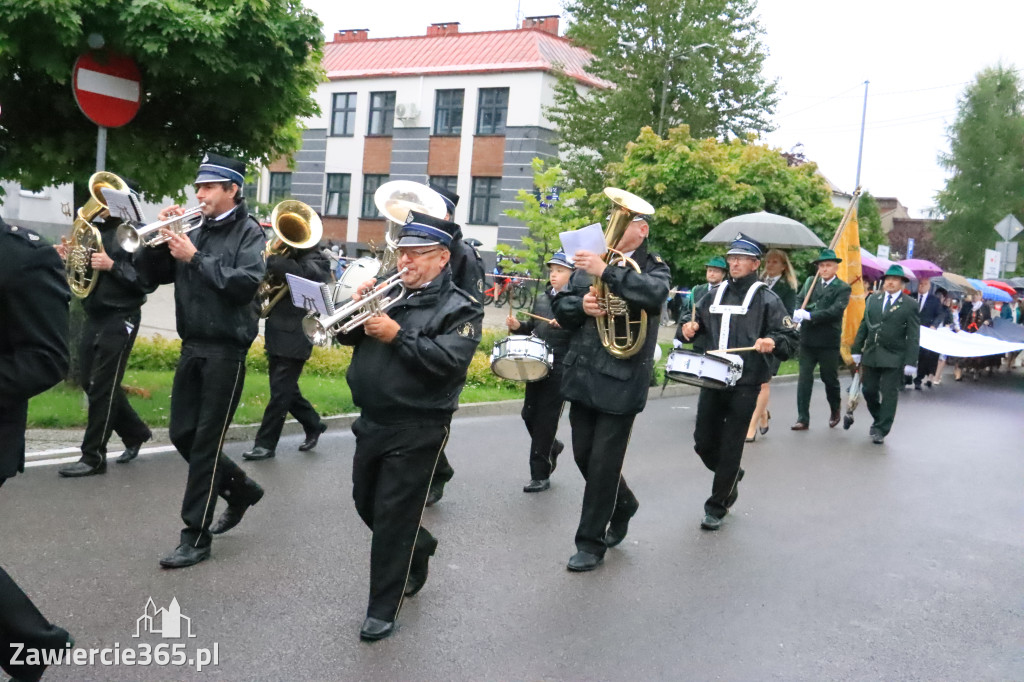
[[215, 292]]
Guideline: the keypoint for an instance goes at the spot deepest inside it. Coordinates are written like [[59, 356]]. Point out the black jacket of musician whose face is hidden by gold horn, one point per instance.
[[284, 325]]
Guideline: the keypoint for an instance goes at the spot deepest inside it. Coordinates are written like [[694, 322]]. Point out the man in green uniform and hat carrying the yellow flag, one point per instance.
[[821, 331]]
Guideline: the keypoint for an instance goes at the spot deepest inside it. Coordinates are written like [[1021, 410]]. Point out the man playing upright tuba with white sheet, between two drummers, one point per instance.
[[607, 394]]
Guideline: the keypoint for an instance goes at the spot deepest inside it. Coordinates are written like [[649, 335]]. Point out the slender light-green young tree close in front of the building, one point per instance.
[[546, 212]]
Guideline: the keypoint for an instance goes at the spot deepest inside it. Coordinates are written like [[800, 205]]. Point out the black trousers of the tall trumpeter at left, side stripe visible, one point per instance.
[[205, 395]]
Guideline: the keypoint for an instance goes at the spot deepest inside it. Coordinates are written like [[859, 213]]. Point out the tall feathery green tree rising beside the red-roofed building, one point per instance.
[[668, 63]]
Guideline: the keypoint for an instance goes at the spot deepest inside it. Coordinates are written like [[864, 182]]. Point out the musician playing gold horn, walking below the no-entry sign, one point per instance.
[[113, 315]]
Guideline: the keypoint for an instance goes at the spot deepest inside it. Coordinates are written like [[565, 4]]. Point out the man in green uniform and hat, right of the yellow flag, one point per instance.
[[887, 340]]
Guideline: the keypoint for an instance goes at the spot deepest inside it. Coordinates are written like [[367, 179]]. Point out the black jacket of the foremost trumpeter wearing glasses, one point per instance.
[[419, 375]]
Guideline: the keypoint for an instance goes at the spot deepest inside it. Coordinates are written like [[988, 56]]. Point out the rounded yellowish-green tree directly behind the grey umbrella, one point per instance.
[[695, 185]]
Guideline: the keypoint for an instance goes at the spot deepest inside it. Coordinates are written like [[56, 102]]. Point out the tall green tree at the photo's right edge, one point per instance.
[[986, 162]]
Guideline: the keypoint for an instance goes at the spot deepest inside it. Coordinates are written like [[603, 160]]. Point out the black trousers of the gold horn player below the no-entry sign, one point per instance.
[[107, 344]]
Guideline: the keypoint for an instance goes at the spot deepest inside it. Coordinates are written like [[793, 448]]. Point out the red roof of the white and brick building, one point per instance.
[[492, 52]]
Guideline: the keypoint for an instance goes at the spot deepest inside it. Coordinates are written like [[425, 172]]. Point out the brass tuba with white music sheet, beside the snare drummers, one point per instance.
[[621, 335]]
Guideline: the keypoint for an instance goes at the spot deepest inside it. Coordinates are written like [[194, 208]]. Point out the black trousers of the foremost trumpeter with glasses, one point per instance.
[[392, 472]]
